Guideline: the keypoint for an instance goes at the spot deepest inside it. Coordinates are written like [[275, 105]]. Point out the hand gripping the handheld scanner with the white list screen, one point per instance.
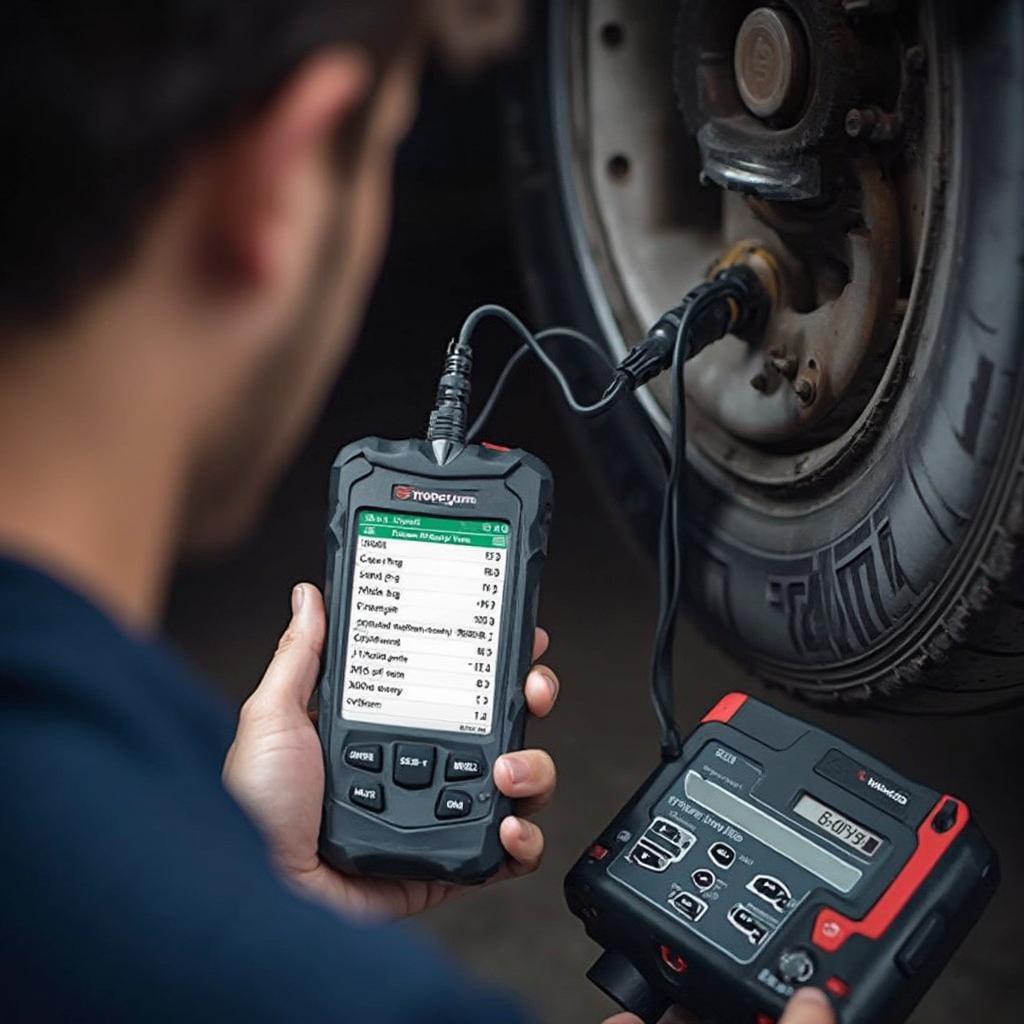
[[275, 770]]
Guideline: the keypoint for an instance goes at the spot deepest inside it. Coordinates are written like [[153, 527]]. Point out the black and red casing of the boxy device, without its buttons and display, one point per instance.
[[875, 951]]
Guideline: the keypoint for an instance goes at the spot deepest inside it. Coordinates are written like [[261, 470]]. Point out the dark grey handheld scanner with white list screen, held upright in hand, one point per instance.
[[434, 575]]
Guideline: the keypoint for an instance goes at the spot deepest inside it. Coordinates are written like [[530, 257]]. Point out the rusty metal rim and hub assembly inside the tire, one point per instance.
[[807, 122]]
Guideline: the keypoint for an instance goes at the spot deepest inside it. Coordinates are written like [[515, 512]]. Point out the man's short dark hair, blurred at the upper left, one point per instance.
[[102, 102]]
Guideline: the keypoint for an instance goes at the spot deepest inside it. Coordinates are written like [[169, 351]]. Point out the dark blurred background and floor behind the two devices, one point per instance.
[[452, 250]]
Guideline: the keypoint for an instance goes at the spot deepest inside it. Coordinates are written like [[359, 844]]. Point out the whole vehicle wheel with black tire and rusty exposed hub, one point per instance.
[[857, 491]]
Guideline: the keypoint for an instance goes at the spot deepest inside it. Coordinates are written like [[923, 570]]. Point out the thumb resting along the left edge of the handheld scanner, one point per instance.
[[291, 676]]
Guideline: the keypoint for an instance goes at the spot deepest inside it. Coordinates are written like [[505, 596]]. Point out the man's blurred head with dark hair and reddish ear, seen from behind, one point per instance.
[[196, 198]]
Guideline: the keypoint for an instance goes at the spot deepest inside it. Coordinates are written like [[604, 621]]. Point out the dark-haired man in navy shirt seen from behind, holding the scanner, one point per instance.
[[195, 200]]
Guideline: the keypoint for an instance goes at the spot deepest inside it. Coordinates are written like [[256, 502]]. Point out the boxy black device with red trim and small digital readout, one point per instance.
[[771, 856]]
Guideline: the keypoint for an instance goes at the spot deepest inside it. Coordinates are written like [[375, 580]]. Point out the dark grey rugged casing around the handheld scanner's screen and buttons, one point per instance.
[[406, 842]]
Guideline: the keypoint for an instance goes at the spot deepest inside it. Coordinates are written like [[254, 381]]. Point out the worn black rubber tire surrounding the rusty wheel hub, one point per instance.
[[903, 584]]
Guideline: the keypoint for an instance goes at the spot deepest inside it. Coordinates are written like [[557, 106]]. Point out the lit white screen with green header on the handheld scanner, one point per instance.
[[424, 622]]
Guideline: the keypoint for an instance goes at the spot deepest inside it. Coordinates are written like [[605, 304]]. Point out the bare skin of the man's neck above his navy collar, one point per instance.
[[91, 475]]
